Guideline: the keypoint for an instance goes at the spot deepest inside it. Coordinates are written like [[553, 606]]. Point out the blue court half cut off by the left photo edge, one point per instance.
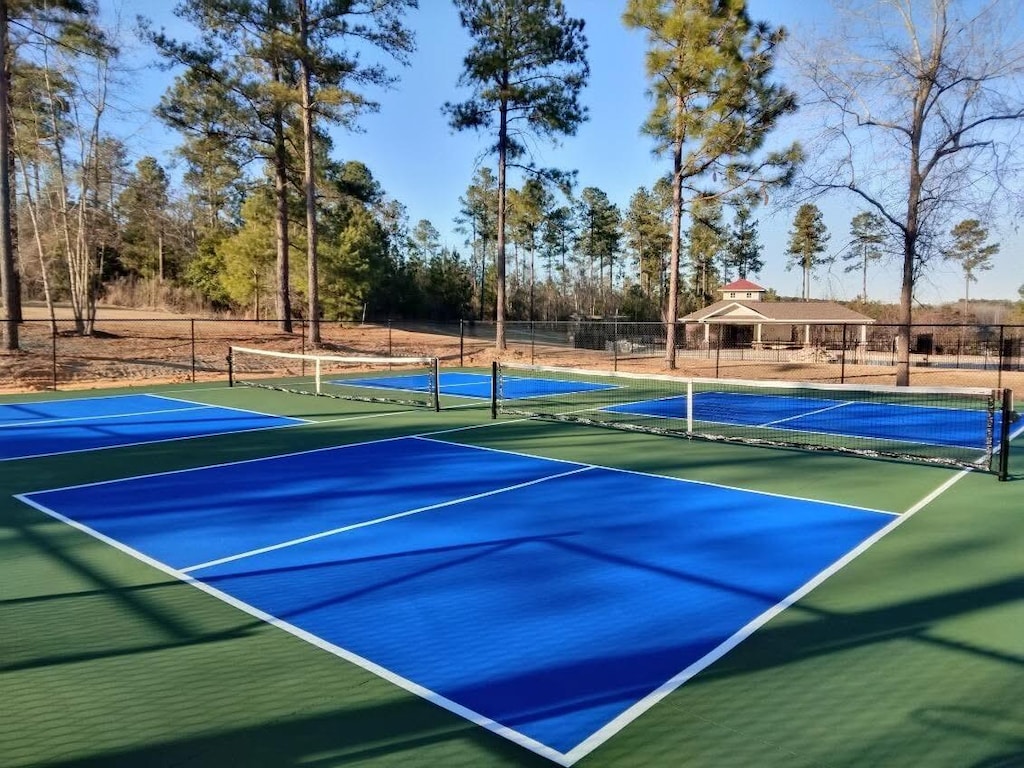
[[29, 430]]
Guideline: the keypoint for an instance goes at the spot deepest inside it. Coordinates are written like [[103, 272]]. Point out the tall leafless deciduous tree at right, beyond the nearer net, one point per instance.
[[922, 104]]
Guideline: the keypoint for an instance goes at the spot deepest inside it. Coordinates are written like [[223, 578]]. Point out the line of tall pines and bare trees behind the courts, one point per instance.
[[270, 222]]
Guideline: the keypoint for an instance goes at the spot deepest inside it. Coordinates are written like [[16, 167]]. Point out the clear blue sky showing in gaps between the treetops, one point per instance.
[[422, 163]]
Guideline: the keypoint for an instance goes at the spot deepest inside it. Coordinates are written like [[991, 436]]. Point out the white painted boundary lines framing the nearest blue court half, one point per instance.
[[613, 728]]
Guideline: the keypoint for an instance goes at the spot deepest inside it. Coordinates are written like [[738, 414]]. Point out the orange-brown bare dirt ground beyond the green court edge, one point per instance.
[[146, 347]]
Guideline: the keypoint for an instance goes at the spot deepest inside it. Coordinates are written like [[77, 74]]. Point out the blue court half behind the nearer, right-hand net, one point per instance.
[[905, 423]]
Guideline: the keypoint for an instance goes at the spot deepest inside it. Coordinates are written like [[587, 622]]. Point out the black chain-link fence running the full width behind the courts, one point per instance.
[[136, 352]]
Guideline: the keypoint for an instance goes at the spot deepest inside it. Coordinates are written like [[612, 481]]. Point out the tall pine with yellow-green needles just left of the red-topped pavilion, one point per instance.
[[715, 104]]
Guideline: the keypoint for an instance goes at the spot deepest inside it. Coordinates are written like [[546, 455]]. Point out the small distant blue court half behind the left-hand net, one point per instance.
[[477, 386]]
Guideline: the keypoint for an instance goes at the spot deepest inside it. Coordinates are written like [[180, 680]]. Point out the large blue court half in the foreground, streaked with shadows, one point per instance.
[[549, 602]]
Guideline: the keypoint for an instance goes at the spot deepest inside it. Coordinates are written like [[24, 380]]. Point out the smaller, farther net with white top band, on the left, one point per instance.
[[409, 381]]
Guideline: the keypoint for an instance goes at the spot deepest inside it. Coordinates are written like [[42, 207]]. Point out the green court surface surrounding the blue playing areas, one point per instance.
[[913, 655]]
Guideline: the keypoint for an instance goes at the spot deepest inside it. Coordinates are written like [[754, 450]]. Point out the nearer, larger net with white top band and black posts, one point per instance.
[[964, 428]]
